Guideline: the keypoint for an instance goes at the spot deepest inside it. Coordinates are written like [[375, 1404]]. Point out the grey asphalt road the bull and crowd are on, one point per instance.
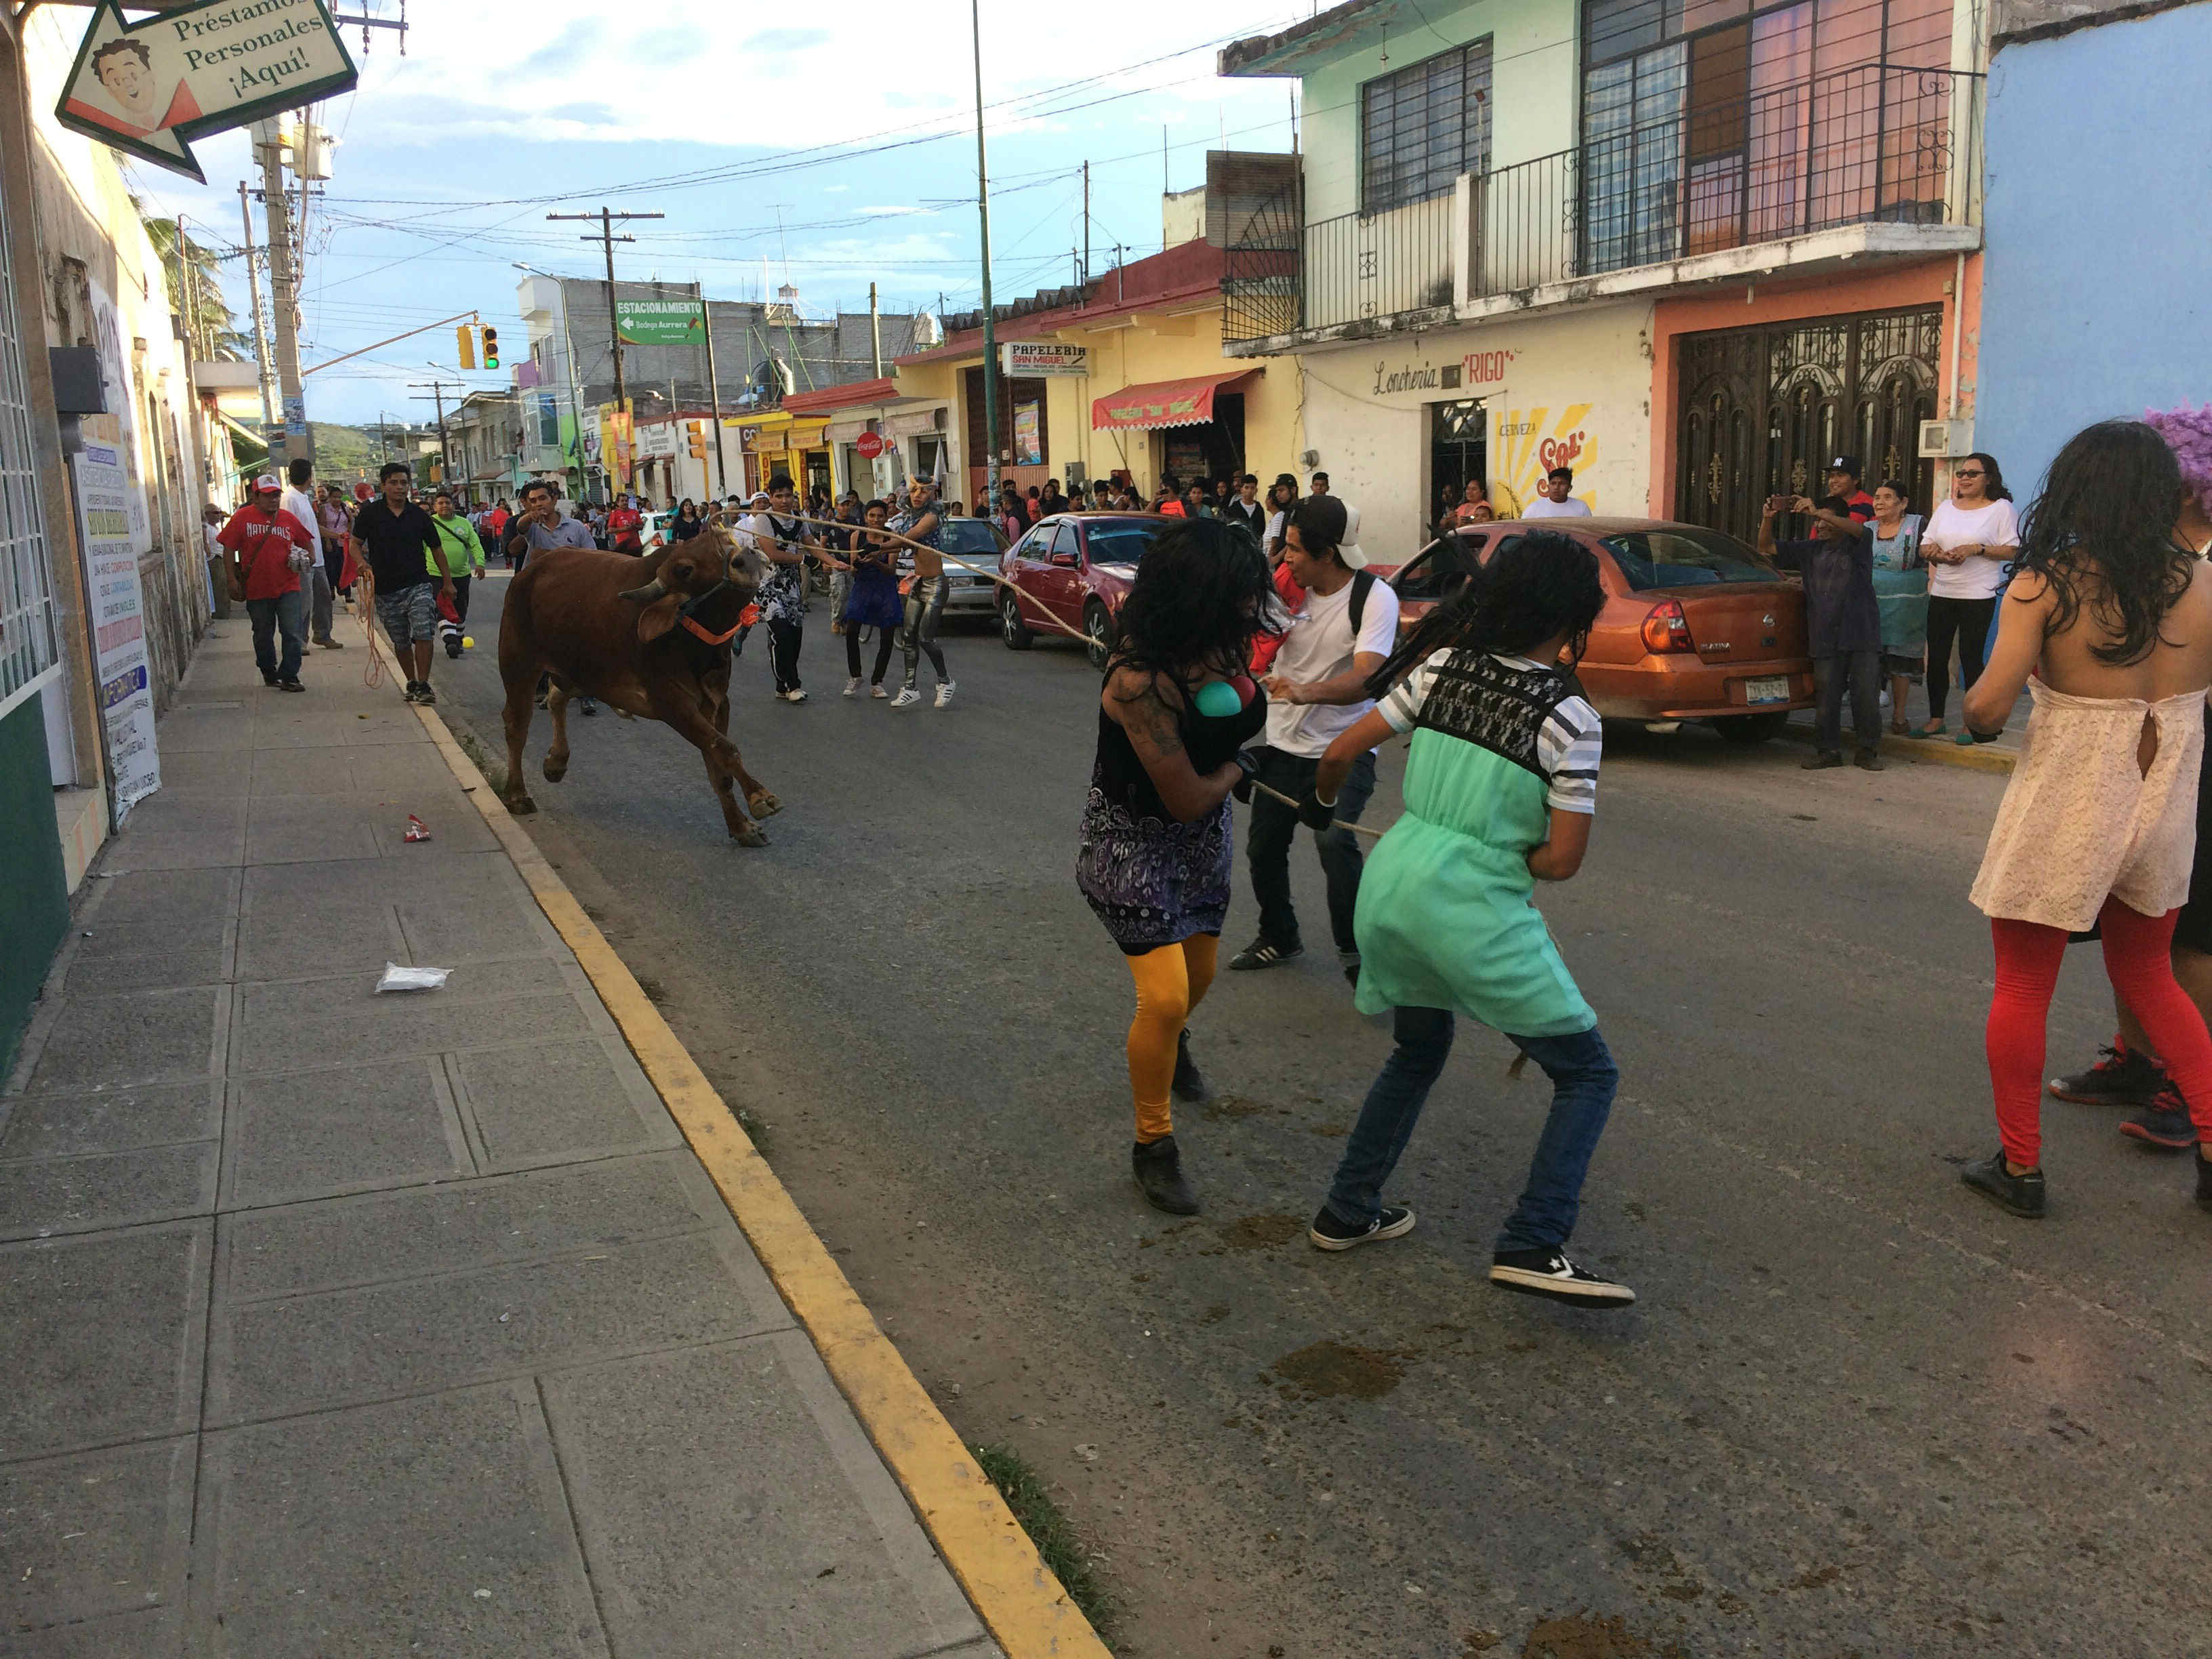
[[1855, 1412]]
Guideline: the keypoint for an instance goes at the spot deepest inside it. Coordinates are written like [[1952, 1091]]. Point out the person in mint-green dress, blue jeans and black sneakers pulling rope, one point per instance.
[[1499, 795]]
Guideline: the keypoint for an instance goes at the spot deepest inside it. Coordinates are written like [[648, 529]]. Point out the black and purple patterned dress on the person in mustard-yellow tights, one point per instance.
[[1151, 879]]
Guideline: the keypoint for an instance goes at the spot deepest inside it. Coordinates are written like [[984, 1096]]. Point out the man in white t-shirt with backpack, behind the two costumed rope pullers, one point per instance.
[[1319, 687]]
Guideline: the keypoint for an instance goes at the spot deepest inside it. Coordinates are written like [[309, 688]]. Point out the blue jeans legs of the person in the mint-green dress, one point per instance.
[[1583, 1085]]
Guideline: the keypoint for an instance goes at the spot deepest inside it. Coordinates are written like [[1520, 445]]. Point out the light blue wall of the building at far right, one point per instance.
[[2098, 273]]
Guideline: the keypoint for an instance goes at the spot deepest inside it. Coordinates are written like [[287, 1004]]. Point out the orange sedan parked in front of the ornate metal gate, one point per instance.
[[1695, 627]]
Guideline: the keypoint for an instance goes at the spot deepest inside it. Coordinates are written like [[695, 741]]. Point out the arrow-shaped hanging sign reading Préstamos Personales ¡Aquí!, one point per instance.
[[147, 87]]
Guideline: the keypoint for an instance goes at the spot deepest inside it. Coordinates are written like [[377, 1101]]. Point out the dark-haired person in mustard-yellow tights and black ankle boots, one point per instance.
[[1156, 842]]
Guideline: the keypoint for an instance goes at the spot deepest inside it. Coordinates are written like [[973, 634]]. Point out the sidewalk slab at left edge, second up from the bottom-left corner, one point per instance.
[[105, 1337]]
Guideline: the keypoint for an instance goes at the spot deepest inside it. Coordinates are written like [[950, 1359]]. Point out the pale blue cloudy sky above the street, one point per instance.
[[851, 125]]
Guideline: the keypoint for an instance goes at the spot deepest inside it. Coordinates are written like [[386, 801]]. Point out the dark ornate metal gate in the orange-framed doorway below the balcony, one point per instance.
[[1766, 408]]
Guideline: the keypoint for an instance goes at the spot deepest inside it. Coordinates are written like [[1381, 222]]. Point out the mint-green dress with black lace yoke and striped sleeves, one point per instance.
[[1448, 915]]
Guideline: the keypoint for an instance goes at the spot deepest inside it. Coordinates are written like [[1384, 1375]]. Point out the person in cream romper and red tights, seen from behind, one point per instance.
[[2111, 614]]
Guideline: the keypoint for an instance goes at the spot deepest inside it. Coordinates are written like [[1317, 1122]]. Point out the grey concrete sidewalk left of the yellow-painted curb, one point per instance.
[[346, 1324]]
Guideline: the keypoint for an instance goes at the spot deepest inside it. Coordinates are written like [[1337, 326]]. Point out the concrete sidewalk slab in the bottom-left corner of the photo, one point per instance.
[[94, 1534]]
